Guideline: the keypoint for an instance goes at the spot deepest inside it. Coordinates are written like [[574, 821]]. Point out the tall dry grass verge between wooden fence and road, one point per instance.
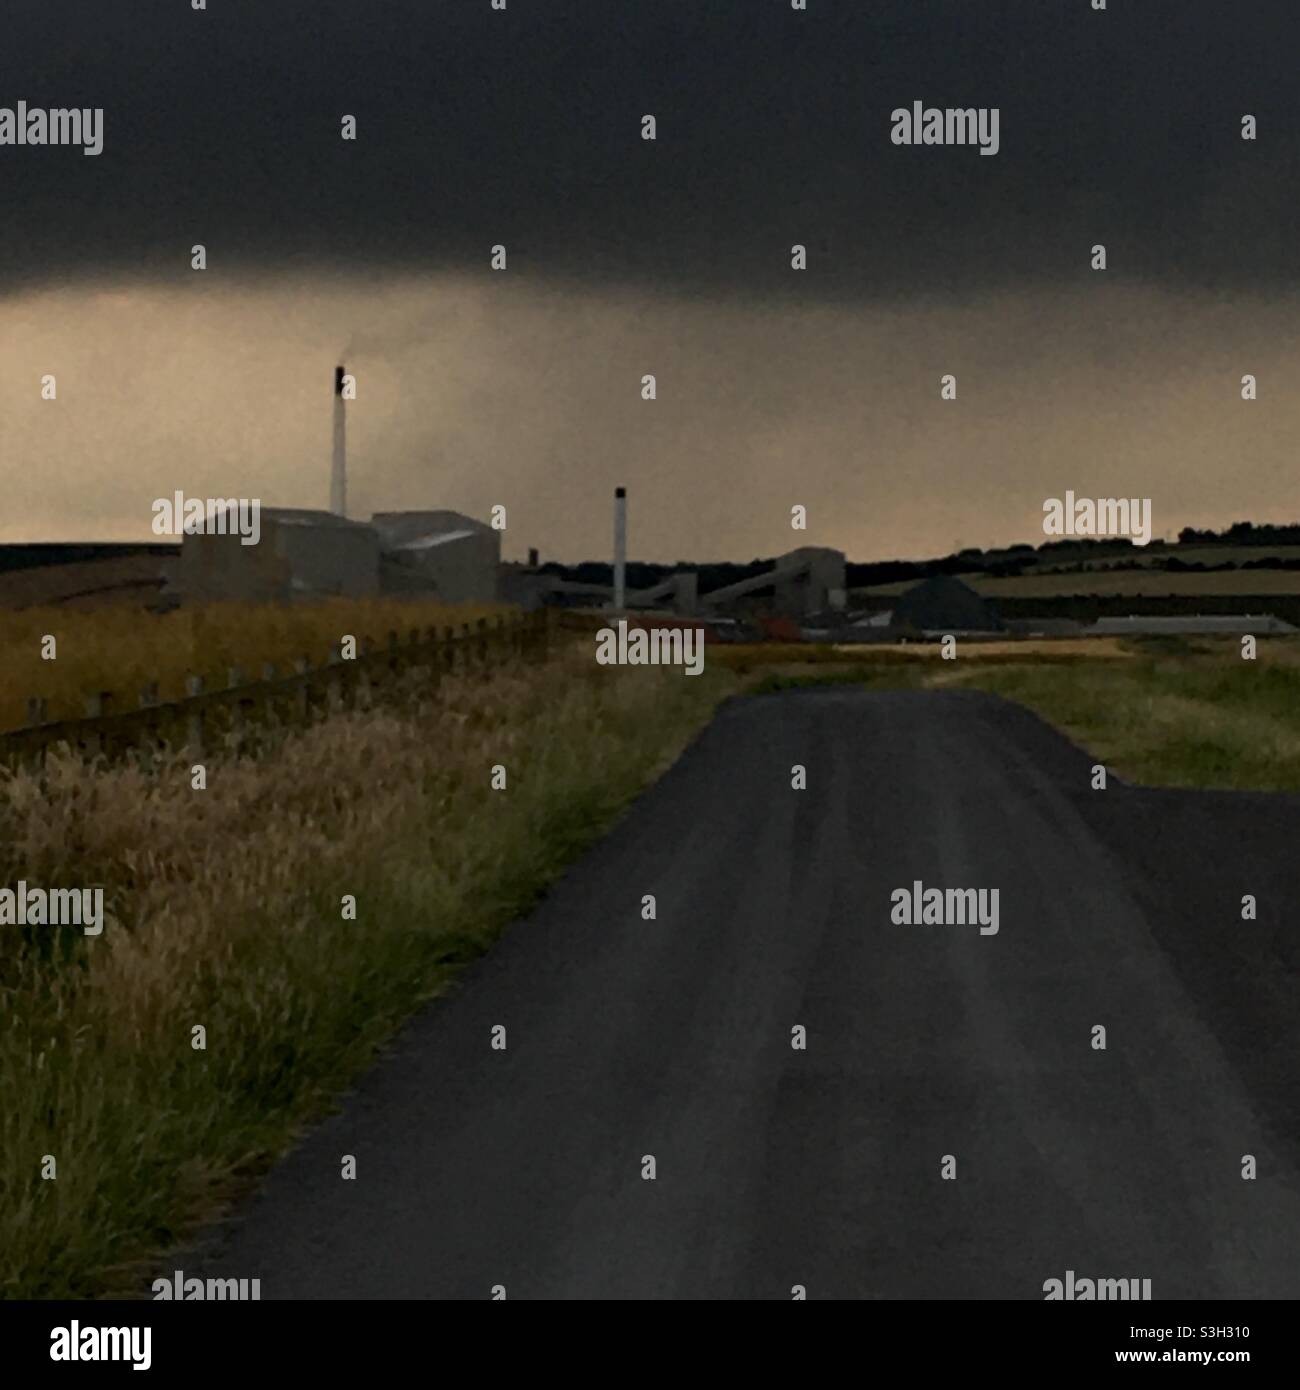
[[227, 908]]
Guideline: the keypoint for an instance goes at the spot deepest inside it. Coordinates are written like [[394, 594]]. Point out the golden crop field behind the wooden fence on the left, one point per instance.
[[124, 650]]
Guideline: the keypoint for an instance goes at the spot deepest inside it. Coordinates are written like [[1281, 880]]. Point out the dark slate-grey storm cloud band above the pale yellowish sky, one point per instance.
[[523, 127]]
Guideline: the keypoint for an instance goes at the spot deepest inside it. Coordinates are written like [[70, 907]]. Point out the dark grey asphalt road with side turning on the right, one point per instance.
[[822, 1168]]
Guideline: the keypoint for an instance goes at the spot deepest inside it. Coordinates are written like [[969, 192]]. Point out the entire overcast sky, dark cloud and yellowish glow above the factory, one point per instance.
[[775, 387]]
